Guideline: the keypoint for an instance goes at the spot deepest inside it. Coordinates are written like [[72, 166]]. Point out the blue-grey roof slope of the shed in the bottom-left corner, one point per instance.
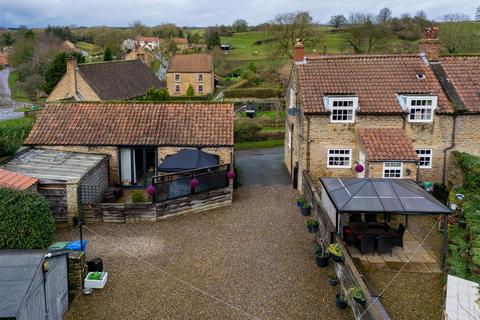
[[17, 271]]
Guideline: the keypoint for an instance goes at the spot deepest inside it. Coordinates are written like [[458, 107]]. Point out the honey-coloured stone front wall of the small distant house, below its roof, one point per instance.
[[190, 78]]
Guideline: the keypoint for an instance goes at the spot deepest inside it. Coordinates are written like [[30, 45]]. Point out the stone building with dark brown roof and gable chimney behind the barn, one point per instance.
[[102, 81]]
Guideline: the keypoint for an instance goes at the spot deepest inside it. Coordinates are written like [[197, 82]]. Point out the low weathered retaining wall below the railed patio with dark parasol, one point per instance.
[[151, 212]]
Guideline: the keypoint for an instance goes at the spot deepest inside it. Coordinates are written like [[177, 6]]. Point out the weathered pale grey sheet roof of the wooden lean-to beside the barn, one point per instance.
[[52, 165]]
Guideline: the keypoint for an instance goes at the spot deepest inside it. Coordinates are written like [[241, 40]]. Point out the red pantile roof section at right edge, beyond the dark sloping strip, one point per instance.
[[464, 74]]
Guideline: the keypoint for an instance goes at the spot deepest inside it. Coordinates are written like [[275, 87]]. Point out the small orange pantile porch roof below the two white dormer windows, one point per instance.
[[387, 144]]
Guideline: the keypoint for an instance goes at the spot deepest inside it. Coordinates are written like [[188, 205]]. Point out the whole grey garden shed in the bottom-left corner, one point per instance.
[[33, 285]]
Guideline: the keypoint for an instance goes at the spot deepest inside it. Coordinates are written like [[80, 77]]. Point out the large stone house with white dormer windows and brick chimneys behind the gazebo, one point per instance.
[[392, 116]]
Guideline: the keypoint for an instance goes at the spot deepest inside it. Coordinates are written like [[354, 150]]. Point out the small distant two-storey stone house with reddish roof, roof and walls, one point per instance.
[[191, 69]]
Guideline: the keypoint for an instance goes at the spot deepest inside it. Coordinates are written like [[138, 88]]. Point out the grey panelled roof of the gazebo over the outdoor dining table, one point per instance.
[[401, 196]]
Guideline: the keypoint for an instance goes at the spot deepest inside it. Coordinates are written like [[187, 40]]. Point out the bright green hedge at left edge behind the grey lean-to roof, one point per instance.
[[12, 134]]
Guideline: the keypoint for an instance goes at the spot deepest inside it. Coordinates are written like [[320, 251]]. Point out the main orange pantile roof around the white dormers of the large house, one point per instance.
[[376, 80]]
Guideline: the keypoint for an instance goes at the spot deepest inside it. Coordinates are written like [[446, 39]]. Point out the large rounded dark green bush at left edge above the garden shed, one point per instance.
[[26, 221]]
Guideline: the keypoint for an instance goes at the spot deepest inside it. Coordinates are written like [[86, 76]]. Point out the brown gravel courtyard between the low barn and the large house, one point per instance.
[[255, 255]]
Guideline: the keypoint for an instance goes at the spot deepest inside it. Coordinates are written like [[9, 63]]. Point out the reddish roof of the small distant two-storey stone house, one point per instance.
[[191, 63]]
